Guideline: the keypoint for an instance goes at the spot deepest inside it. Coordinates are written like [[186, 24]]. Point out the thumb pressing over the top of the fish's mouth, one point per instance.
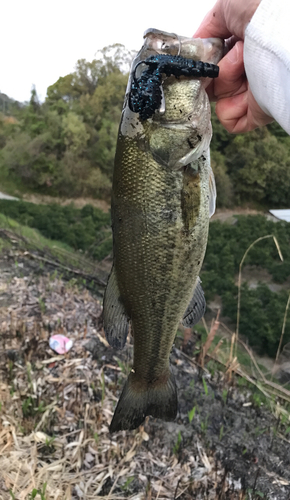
[[213, 25]]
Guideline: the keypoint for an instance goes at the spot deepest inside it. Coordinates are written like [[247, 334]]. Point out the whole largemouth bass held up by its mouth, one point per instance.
[[162, 197]]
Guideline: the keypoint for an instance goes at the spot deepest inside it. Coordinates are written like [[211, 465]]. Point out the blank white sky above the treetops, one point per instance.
[[42, 40]]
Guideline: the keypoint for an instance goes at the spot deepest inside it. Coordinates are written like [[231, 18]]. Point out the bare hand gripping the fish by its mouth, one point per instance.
[[236, 106]]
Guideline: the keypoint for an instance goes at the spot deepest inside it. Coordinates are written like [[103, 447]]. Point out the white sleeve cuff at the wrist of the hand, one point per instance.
[[267, 59]]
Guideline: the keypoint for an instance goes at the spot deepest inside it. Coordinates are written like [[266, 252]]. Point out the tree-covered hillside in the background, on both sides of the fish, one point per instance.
[[66, 145]]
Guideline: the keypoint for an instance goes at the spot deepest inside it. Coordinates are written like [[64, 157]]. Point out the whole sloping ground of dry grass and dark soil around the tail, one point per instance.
[[226, 443]]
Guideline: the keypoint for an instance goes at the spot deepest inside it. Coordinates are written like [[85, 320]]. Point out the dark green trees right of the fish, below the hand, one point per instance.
[[249, 167]]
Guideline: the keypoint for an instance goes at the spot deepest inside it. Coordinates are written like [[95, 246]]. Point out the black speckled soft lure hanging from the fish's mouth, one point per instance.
[[145, 95]]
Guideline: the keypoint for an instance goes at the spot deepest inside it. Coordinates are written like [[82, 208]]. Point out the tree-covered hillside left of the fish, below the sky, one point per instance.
[[66, 145]]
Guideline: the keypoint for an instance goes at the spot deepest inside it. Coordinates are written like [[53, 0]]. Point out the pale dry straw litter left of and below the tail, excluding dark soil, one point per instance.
[[56, 411]]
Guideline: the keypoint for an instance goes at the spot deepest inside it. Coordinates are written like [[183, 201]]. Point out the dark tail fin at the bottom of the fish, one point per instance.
[[136, 402]]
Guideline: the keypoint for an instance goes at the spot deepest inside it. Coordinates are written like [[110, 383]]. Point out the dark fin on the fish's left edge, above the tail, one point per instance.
[[116, 321]]
